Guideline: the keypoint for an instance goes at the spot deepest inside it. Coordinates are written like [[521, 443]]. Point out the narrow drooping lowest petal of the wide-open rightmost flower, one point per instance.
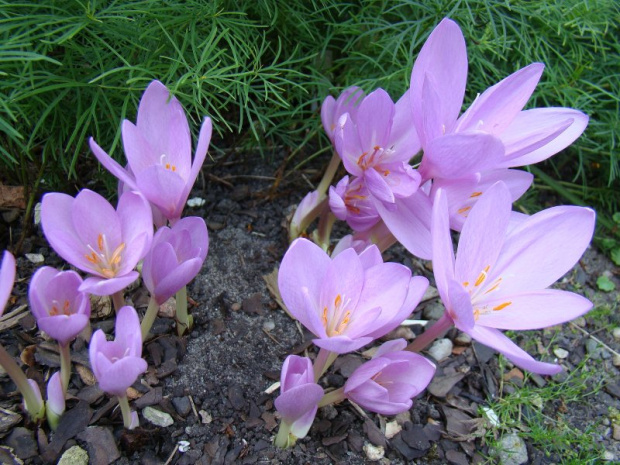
[[495, 339]]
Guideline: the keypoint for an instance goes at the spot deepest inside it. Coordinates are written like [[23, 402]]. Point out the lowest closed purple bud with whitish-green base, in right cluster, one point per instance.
[[299, 396]]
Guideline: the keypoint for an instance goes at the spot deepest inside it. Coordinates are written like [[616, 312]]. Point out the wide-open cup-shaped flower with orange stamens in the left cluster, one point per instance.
[[88, 233]]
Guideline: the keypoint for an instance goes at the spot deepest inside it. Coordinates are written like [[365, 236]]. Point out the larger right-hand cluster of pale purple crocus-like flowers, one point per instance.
[[463, 180]]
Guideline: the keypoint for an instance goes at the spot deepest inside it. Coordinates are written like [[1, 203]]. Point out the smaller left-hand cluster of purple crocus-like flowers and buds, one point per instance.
[[109, 243]]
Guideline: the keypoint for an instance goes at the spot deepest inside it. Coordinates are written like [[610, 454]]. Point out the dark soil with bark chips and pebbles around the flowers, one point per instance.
[[214, 382]]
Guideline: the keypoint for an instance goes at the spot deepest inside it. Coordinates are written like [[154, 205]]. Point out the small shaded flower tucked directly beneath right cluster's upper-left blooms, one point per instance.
[[350, 202]]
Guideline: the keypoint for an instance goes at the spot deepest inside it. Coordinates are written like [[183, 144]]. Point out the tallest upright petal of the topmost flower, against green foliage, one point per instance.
[[444, 57]]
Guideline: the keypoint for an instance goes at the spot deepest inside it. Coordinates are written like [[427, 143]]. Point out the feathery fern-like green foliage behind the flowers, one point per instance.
[[71, 69]]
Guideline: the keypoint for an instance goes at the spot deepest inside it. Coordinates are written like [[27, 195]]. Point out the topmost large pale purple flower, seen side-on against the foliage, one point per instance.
[[494, 132]]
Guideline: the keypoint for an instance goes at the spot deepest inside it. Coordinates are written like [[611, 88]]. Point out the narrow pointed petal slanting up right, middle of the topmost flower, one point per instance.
[[494, 110]]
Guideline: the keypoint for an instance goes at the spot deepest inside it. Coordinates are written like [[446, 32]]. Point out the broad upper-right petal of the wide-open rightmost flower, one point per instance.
[[542, 249]]
